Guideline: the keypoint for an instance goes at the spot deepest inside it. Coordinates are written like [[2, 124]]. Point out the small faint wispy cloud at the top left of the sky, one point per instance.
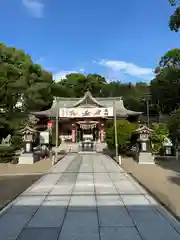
[[35, 7]]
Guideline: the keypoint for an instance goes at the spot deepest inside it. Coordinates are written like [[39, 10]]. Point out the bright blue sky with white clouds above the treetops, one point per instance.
[[115, 38]]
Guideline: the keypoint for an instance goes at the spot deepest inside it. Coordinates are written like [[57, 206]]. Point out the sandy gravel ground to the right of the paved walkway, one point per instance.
[[161, 179]]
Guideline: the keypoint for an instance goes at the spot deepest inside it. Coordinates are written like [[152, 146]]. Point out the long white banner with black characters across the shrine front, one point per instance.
[[85, 112]]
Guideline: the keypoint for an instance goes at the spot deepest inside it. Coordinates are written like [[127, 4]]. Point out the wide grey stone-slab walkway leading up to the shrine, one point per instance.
[[87, 197]]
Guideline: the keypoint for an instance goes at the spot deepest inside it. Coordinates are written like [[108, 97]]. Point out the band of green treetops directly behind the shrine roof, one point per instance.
[[75, 85]]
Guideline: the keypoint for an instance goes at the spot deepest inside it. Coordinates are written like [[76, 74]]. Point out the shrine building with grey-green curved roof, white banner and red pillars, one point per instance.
[[82, 117]]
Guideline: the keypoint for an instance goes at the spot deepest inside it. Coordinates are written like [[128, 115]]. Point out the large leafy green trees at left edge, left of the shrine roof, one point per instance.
[[24, 87]]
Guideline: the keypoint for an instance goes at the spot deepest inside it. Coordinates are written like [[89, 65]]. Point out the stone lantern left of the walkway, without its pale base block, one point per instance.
[[28, 138]]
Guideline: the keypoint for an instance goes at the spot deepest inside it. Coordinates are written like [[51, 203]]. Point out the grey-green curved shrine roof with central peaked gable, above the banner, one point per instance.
[[88, 101]]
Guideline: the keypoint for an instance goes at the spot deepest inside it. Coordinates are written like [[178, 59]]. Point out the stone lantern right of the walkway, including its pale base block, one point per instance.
[[145, 155]]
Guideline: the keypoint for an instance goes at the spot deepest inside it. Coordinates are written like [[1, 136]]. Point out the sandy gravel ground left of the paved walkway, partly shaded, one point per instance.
[[14, 179]]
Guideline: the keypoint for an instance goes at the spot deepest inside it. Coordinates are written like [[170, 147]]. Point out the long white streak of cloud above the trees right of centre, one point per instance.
[[127, 68]]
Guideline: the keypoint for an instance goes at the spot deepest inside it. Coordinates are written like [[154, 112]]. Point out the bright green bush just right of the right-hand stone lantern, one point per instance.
[[160, 133]]
